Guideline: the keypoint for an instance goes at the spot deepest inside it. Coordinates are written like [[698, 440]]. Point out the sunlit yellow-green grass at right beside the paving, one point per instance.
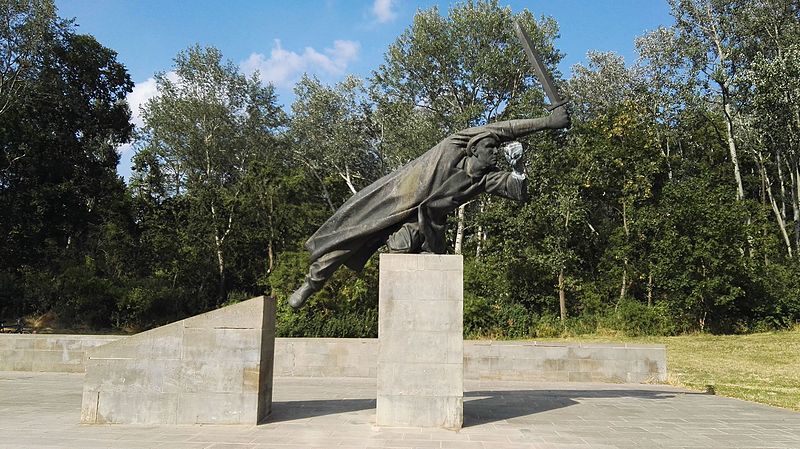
[[762, 368]]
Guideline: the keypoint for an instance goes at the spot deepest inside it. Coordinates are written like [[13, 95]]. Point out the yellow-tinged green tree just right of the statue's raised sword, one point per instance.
[[620, 151]]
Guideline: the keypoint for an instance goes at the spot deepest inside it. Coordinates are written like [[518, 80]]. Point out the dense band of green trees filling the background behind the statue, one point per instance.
[[642, 219]]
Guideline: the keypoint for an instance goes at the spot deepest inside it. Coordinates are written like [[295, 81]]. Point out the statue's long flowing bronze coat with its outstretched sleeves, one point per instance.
[[424, 190]]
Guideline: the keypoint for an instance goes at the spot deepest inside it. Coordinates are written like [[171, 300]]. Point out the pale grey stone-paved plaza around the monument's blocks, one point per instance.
[[42, 410]]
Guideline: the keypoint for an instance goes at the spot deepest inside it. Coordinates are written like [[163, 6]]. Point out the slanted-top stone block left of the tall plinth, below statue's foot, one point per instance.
[[214, 368]]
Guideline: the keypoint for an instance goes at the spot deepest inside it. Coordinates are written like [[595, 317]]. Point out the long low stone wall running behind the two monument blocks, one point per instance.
[[356, 357]]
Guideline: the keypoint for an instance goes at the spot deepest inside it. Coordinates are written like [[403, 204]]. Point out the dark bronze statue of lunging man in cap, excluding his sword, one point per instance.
[[407, 209]]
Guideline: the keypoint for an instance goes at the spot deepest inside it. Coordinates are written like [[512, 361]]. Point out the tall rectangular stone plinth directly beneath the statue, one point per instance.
[[420, 341]]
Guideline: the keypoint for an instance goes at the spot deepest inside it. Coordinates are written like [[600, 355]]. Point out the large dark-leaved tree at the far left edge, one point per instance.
[[66, 226]]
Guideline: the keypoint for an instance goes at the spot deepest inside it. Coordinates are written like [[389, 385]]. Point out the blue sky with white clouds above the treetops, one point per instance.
[[327, 38]]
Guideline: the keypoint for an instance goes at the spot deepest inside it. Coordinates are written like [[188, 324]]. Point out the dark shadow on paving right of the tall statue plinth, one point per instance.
[[482, 407]]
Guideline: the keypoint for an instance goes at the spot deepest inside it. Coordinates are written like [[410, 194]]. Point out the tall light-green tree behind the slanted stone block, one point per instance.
[[202, 135]]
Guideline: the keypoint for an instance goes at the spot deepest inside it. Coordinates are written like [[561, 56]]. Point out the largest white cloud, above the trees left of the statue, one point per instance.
[[284, 66]]
